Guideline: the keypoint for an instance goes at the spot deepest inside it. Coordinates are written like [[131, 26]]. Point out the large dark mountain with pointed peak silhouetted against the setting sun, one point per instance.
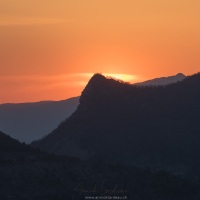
[[155, 127]]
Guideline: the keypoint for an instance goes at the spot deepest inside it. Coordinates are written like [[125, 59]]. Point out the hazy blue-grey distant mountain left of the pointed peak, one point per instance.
[[30, 121]]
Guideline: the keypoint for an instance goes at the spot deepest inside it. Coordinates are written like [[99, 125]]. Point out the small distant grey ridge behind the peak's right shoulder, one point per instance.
[[163, 80]]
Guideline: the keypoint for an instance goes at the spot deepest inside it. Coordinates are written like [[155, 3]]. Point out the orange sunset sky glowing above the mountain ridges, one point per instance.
[[49, 49]]
